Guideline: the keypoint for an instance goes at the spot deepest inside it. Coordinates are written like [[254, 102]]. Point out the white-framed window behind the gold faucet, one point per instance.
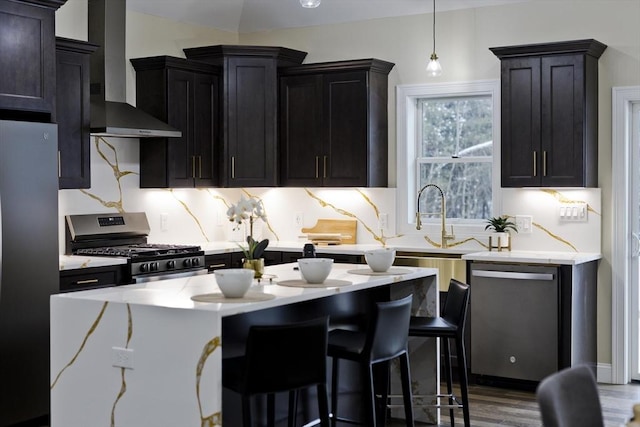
[[447, 135]]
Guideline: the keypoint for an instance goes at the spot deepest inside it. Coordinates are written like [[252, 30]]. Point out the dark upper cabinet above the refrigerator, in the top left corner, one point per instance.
[[27, 55]]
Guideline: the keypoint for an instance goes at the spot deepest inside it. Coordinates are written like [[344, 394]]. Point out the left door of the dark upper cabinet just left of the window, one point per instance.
[[301, 151]]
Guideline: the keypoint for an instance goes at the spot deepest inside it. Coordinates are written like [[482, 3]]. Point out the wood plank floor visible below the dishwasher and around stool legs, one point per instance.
[[495, 406]]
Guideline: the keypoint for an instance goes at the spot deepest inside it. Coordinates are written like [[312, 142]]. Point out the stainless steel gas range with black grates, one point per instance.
[[125, 235]]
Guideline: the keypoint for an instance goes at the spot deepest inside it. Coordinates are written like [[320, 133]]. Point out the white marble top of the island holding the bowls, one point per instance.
[[177, 293]]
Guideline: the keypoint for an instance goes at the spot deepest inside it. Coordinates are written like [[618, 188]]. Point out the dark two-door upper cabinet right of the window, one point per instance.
[[550, 114]]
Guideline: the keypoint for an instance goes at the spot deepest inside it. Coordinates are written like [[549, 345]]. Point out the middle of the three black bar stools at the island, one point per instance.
[[384, 340]]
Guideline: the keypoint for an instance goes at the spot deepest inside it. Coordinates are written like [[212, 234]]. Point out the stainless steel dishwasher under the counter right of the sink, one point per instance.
[[514, 320]]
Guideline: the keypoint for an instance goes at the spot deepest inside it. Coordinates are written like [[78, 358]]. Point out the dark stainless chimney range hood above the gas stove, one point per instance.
[[110, 114]]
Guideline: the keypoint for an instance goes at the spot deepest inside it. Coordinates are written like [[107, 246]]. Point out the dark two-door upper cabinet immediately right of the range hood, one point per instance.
[[184, 94]]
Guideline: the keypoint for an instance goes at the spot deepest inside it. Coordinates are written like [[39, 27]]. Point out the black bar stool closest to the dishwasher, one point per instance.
[[449, 326]]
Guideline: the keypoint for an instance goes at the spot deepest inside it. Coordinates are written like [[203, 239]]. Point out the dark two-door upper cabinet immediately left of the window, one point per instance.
[[333, 124]]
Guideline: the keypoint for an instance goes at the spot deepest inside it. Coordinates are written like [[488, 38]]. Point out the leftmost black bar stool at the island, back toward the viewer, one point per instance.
[[281, 358]]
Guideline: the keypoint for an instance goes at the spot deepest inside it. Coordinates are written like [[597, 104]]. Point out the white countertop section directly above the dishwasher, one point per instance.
[[533, 257]]
